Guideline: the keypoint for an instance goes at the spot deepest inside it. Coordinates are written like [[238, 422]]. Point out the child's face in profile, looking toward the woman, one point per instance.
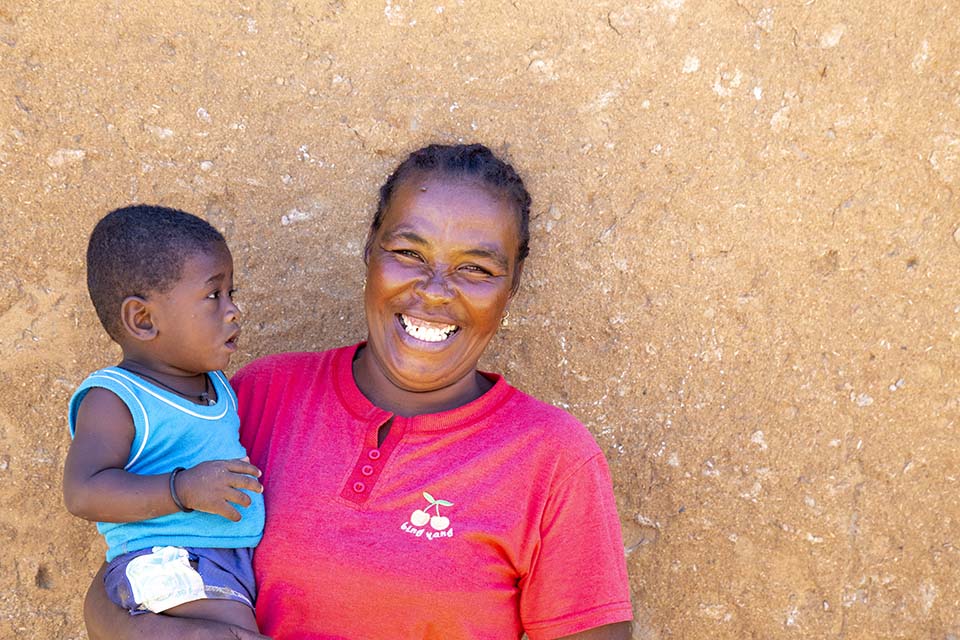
[[197, 322]]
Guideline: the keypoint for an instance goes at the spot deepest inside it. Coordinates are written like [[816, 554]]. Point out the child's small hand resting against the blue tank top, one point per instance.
[[211, 486]]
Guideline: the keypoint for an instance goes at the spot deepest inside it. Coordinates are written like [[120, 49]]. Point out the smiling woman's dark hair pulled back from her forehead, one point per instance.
[[463, 161]]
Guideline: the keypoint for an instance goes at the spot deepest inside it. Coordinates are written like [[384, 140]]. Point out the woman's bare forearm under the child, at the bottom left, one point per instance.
[[107, 621]]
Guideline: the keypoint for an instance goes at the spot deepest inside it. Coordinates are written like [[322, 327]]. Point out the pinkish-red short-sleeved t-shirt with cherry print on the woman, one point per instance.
[[487, 521]]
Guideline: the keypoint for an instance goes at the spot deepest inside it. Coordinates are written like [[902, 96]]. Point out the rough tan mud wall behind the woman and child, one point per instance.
[[743, 272]]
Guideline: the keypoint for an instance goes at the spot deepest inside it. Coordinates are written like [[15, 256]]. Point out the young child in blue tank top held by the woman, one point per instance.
[[156, 459]]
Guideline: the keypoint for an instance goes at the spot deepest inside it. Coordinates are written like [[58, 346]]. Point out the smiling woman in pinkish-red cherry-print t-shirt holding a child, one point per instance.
[[408, 494]]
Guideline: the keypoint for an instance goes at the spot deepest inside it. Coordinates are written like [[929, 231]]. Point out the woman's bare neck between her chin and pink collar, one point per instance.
[[383, 393]]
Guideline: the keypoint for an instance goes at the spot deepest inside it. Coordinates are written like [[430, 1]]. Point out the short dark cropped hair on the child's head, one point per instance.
[[138, 250]]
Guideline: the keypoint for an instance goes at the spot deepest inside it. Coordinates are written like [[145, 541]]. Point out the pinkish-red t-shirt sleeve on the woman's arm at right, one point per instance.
[[578, 577]]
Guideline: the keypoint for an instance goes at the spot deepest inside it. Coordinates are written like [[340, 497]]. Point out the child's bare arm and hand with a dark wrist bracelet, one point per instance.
[[96, 487]]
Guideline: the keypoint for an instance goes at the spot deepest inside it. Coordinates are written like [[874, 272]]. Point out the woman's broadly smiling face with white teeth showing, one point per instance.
[[440, 272]]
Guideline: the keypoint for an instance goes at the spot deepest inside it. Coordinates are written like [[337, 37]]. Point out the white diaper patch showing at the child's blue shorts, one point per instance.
[[164, 579]]
